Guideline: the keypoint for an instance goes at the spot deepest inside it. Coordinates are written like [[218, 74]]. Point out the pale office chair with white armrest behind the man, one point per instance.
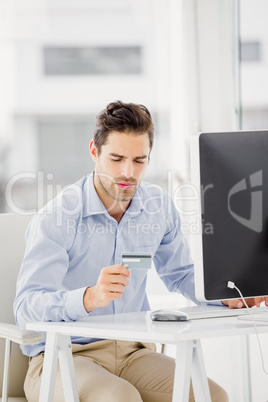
[[13, 363]]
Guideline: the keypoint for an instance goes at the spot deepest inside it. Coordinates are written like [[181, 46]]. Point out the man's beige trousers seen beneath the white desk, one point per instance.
[[116, 371]]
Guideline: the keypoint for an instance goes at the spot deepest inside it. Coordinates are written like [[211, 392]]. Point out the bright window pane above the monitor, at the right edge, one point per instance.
[[254, 64]]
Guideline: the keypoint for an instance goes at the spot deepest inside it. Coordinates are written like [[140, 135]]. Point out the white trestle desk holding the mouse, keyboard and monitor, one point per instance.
[[137, 327]]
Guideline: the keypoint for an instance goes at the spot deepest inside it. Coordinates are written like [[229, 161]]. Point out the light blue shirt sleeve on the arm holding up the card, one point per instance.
[[40, 294]]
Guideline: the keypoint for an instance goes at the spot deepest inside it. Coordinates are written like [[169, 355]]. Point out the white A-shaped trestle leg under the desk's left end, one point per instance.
[[58, 346]]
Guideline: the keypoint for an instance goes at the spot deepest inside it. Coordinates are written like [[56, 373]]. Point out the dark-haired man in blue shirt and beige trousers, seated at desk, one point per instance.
[[72, 266]]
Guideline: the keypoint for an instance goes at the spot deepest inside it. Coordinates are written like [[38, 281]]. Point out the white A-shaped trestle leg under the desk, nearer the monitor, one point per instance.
[[189, 360]]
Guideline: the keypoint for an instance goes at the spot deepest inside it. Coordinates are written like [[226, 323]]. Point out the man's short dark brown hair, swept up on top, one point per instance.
[[124, 118]]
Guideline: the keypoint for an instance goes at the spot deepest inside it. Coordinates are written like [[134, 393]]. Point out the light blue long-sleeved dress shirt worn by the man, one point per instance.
[[73, 237]]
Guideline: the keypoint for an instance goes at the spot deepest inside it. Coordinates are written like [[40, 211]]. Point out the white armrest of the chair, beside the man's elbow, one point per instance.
[[15, 334]]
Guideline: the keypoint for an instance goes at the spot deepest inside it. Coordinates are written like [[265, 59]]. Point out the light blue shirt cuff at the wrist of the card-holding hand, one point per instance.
[[74, 304]]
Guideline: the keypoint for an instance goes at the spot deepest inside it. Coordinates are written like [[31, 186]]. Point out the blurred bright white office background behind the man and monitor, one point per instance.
[[198, 65]]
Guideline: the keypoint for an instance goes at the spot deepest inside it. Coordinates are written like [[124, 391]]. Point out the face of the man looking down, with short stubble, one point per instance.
[[120, 166]]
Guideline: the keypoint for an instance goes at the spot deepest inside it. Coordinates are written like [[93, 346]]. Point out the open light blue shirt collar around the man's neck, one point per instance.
[[94, 206]]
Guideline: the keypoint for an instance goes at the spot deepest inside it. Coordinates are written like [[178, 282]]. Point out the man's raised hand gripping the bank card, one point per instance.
[[110, 286]]
